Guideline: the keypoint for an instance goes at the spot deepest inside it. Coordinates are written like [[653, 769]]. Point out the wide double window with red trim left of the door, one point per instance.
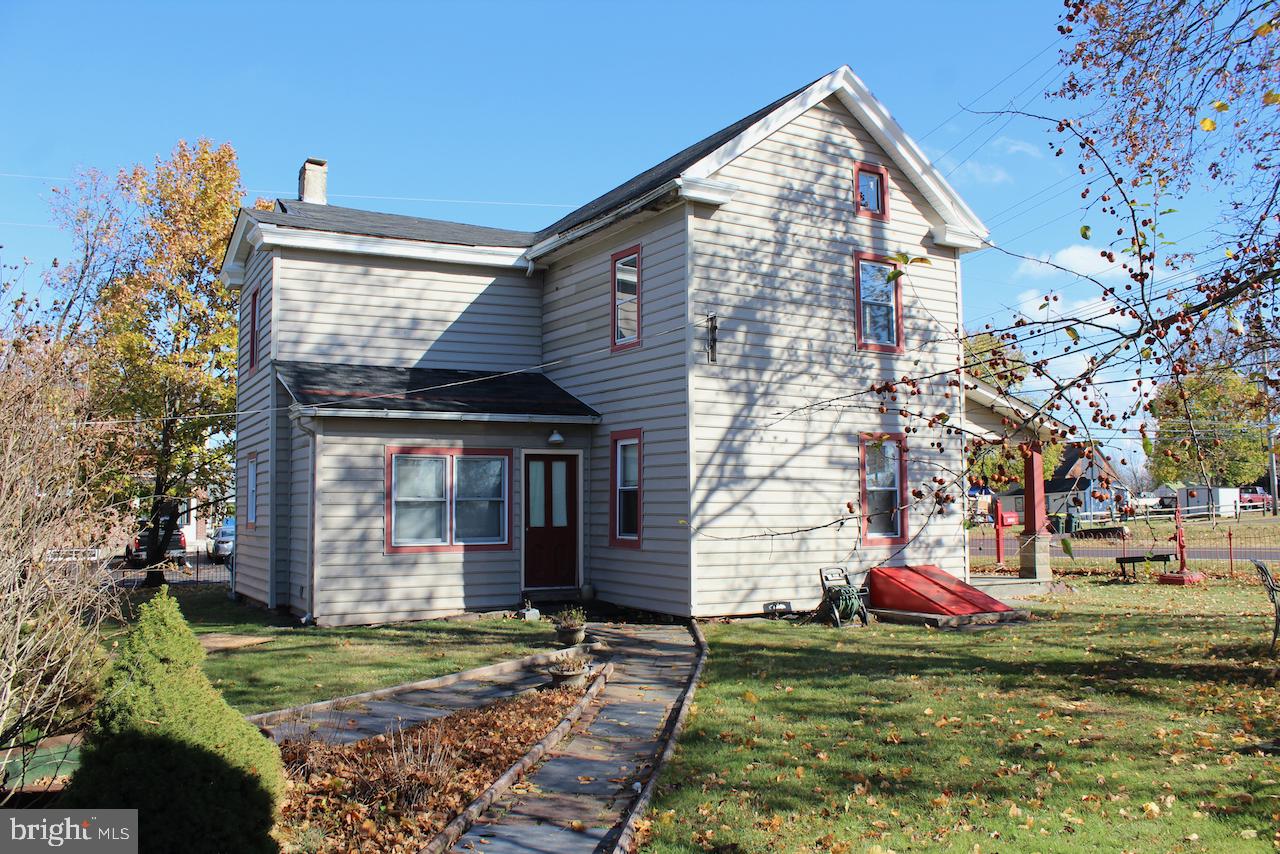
[[447, 499]]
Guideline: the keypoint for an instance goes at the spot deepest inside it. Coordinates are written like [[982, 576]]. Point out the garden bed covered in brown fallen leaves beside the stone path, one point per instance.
[[394, 793]]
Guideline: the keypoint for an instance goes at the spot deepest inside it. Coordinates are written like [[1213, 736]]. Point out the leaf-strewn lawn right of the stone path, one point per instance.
[[1112, 721]]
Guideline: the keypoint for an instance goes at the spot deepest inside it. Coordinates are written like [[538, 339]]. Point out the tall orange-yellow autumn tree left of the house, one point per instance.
[[163, 327]]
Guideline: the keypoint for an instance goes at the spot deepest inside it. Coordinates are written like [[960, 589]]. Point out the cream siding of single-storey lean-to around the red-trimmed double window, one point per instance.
[[356, 581]]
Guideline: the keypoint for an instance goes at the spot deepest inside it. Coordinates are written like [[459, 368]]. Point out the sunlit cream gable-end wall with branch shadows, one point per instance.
[[776, 267]]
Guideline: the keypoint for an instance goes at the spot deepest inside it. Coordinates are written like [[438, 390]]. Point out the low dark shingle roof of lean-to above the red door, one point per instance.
[[419, 390]]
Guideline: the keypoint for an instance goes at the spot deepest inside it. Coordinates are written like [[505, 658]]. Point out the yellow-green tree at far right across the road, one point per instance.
[[1209, 430]]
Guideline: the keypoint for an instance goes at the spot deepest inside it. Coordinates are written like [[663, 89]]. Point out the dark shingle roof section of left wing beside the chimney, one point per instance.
[[350, 221]]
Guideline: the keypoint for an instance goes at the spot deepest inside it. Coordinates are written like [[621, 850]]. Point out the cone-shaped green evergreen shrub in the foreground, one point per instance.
[[164, 742]]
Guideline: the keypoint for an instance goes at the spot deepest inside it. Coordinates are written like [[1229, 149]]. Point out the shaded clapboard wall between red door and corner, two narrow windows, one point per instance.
[[646, 389]]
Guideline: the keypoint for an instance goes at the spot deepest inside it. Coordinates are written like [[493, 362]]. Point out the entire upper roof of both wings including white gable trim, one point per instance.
[[959, 226]]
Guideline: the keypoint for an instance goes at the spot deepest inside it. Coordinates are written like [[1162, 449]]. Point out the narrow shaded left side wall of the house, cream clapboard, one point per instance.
[[254, 432]]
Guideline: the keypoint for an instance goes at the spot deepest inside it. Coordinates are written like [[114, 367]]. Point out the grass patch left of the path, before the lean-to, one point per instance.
[[307, 665]]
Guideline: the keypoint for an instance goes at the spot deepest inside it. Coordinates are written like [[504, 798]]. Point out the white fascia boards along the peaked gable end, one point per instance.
[[962, 225]]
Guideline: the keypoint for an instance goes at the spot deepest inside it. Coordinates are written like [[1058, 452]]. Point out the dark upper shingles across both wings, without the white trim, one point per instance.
[[350, 221]]
